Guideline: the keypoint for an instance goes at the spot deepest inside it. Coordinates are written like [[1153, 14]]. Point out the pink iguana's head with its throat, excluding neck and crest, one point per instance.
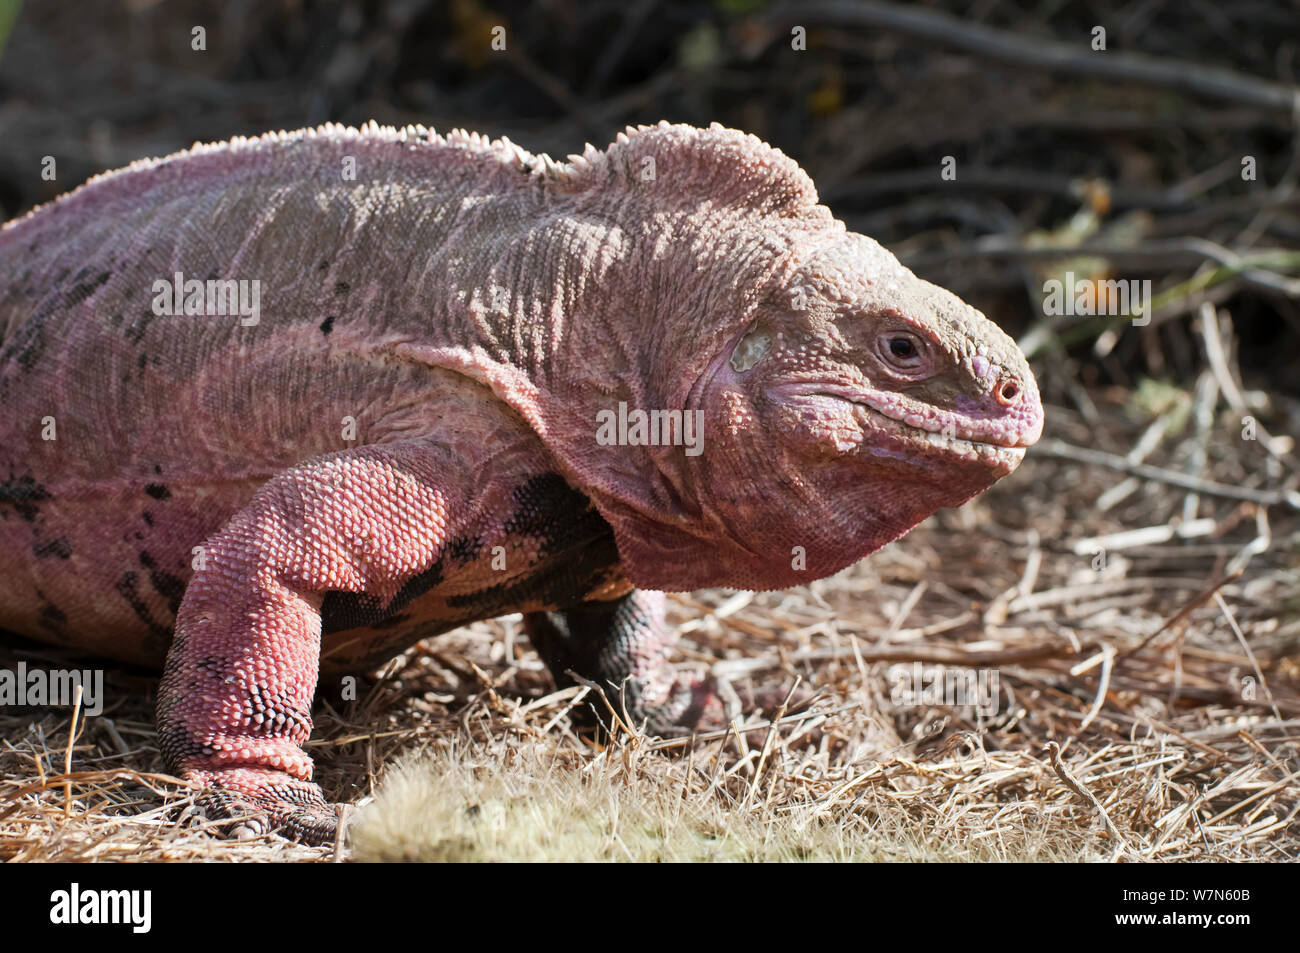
[[868, 398]]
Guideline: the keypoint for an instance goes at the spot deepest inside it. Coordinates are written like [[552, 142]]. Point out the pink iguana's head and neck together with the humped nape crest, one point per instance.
[[842, 400]]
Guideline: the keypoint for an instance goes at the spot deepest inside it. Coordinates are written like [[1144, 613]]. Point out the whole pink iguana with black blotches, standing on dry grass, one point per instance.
[[406, 440]]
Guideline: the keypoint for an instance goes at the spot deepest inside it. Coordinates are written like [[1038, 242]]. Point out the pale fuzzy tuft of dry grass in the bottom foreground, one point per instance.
[[530, 802]]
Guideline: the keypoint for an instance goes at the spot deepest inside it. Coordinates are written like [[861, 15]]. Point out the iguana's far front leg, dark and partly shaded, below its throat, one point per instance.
[[623, 647]]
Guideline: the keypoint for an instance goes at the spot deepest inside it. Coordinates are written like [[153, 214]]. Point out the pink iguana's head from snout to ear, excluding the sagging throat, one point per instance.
[[856, 357]]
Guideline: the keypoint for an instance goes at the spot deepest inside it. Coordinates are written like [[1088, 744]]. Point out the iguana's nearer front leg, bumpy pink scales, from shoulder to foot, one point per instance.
[[235, 704]]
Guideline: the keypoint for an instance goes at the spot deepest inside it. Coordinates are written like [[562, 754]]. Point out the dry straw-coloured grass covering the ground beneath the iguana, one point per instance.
[[1134, 670]]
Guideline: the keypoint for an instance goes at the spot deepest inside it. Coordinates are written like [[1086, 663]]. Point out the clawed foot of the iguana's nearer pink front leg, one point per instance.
[[258, 802]]
